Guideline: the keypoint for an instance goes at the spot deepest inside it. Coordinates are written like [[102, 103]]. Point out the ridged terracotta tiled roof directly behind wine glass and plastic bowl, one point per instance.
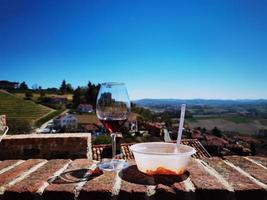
[[101, 151]]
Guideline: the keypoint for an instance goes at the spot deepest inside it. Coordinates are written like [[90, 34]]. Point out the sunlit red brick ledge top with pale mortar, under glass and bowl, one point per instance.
[[231, 177]]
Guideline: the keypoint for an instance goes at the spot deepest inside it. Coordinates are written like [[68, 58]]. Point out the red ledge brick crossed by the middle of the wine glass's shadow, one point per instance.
[[64, 186]]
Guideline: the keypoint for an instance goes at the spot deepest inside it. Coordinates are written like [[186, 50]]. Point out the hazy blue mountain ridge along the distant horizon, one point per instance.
[[192, 102]]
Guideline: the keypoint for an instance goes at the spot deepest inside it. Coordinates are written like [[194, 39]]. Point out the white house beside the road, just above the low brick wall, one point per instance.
[[66, 121]]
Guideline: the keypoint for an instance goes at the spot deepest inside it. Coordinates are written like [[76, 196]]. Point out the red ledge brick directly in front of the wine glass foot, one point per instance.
[[98, 188]]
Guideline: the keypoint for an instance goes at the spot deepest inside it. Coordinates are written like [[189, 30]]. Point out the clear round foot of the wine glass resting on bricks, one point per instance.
[[112, 164]]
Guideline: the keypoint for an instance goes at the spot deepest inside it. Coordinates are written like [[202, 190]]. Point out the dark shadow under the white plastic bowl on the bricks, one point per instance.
[[133, 175]]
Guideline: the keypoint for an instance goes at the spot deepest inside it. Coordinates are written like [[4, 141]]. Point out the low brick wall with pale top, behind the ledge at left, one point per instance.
[[46, 146]]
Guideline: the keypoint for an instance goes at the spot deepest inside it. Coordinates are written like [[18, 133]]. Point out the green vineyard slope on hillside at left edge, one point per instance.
[[17, 108]]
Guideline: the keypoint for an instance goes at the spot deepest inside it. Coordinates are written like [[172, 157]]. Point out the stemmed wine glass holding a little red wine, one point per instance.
[[112, 109]]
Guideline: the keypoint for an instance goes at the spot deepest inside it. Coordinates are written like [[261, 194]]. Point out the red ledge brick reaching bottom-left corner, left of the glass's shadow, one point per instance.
[[27, 188]]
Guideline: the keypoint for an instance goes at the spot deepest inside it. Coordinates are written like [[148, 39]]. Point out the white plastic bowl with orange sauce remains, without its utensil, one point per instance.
[[161, 157]]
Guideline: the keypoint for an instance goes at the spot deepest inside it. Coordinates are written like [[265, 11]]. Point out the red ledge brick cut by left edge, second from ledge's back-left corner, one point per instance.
[[15, 172]]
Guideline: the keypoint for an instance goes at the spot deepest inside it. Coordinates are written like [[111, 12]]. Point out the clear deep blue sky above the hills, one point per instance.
[[160, 49]]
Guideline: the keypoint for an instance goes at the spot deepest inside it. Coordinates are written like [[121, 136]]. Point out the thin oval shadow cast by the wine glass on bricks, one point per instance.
[[75, 176]]
